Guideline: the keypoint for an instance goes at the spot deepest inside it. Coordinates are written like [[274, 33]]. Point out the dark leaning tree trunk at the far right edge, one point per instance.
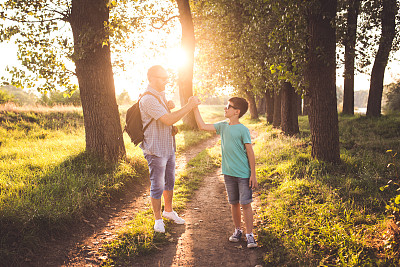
[[389, 12]]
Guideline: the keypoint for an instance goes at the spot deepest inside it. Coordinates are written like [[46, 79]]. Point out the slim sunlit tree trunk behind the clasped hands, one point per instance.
[[185, 81]]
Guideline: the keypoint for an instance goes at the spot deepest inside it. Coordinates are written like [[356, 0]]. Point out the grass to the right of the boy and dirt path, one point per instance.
[[318, 214]]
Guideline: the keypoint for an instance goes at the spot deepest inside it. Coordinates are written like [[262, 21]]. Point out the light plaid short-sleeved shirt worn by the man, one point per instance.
[[158, 139]]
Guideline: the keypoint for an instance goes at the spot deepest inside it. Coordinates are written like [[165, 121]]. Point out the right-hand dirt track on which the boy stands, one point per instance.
[[203, 240]]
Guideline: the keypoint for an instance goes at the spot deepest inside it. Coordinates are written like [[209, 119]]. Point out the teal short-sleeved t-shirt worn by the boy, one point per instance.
[[234, 157]]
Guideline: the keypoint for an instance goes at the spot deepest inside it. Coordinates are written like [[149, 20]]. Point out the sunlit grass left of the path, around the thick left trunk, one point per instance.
[[48, 182]]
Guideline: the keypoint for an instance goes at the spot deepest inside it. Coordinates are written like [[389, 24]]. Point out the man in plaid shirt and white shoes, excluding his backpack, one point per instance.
[[159, 144]]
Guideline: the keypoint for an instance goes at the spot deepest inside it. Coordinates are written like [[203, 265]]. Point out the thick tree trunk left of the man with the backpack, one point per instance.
[[96, 82]]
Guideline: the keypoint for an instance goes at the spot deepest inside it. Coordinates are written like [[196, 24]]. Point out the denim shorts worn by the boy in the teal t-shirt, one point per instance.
[[238, 190]]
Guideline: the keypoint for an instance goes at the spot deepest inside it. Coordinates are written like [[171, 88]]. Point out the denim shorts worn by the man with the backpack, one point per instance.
[[162, 174]]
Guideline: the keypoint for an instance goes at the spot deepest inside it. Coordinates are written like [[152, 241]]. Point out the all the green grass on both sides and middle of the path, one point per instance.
[[312, 213]]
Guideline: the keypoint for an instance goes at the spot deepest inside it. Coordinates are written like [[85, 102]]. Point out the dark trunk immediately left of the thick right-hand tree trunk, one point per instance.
[[289, 120]]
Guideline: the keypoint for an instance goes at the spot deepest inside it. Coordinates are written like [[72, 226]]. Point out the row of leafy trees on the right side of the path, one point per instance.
[[286, 49]]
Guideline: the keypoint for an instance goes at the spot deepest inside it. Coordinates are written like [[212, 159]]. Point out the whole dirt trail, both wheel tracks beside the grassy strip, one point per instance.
[[202, 241]]
